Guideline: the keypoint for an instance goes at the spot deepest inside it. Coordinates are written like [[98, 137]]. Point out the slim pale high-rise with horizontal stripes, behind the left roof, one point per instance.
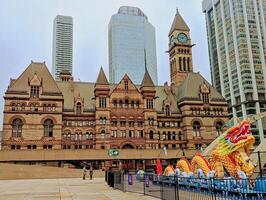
[[62, 45]]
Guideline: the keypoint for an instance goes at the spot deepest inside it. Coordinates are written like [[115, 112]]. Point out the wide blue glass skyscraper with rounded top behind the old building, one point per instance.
[[130, 35]]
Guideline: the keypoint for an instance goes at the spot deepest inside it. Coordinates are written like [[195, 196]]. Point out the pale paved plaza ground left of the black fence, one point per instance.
[[66, 189]]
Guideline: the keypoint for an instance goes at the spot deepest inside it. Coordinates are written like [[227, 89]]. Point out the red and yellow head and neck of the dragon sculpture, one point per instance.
[[236, 144]]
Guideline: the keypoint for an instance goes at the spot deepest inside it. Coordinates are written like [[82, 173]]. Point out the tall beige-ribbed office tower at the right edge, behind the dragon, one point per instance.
[[237, 45]]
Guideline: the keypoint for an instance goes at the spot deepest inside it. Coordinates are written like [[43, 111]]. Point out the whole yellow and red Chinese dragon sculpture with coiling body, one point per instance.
[[230, 156]]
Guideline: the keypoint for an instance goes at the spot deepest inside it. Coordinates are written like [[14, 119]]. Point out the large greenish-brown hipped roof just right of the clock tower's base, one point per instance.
[[190, 88]]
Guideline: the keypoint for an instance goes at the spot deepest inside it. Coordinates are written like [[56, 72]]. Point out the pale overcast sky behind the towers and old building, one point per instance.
[[26, 29]]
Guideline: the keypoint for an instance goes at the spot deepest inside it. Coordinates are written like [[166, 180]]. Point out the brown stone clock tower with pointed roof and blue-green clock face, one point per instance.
[[180, 50]]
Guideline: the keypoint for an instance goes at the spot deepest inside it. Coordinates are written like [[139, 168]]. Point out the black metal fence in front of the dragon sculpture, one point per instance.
[[177, 188]]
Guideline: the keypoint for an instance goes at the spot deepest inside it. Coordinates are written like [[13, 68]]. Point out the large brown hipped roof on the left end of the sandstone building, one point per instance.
[[41, 71]]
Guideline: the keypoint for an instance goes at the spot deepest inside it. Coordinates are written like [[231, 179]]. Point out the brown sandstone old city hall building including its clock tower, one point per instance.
[[41, 113]]
